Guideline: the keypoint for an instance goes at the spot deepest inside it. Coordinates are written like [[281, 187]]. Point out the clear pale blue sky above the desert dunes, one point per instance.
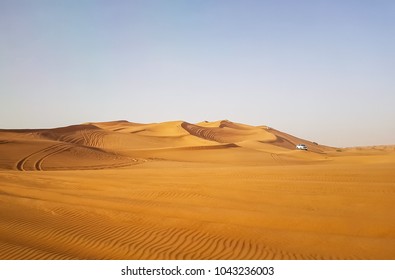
[[320, 70]]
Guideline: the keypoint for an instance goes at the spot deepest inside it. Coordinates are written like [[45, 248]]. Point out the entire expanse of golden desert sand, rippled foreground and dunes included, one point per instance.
[[176, 190]]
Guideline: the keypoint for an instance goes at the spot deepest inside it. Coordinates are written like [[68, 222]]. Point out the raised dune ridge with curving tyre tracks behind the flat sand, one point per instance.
[[121, 143]]
